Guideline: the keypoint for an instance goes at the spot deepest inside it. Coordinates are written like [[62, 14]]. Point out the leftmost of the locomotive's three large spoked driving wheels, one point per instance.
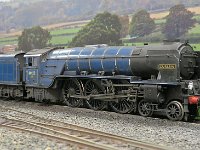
[[71, 89]]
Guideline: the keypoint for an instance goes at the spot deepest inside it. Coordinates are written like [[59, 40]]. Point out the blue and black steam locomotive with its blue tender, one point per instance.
[[146, 79]]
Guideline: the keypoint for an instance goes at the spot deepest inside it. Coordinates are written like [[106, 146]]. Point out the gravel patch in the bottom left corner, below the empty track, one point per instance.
[[14, 140]]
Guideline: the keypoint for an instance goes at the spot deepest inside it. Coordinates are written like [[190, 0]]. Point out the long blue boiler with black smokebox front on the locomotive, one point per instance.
[[131, 61]]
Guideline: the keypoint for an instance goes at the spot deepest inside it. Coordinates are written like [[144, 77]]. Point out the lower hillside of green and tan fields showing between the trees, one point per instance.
[[62, 33]]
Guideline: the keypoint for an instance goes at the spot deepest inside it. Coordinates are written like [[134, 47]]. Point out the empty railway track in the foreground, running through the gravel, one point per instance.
[[72, 134]]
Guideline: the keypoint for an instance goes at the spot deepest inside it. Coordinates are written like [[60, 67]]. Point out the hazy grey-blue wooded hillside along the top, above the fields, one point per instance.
[[22, 14]]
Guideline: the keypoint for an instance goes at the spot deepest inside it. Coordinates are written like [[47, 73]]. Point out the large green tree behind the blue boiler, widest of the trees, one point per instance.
[[103, 29]]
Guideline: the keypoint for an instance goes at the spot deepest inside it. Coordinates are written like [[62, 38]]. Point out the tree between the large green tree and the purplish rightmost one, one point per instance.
[[141, 24]]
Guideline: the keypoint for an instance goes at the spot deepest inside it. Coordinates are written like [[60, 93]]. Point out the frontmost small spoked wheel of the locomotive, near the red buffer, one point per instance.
[[174, 111]]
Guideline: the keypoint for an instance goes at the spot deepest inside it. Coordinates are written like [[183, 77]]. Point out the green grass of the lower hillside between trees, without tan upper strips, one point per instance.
[[65, 35]]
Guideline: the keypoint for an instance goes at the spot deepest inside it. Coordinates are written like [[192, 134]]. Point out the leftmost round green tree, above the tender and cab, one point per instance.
[[33, 38]]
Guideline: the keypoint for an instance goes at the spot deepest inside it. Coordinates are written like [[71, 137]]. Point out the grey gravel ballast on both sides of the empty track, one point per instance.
[[176, 135]]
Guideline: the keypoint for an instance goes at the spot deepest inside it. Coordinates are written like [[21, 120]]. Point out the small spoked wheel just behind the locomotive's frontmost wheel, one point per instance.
[[145, 109]]
